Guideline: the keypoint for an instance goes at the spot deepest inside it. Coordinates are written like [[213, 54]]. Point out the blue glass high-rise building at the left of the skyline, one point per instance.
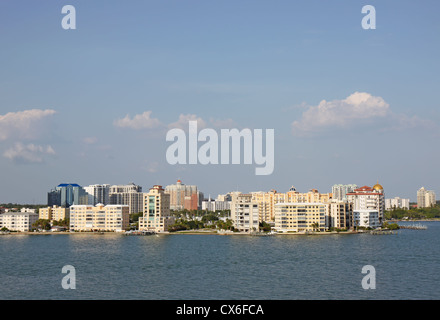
[[67, 194]]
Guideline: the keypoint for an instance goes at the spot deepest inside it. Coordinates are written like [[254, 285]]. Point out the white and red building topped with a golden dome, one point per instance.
[[366, 199]]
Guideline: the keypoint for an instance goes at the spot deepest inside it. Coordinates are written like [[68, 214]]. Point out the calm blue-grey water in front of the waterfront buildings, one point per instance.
[[219, 267]]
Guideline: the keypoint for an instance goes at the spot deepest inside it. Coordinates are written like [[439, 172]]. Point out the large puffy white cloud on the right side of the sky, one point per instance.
[[355, 109]]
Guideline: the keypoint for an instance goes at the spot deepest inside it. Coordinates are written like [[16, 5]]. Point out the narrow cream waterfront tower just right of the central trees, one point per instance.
[[244, 212]]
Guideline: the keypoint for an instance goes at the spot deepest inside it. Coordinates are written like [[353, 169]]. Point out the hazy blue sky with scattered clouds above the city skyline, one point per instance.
[[241, 64]]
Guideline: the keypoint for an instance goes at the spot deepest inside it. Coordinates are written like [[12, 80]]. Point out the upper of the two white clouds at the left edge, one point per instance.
[[22, 124]]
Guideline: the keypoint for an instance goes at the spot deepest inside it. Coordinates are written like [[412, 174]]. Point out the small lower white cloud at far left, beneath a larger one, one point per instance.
[[29, 153]]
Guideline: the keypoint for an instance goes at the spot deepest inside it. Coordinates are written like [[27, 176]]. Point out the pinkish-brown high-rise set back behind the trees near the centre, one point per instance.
[[184, 196]]
